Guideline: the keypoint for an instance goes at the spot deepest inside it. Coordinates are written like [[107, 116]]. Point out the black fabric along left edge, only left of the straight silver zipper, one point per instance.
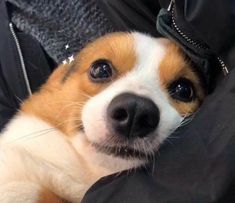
[[9, 91]]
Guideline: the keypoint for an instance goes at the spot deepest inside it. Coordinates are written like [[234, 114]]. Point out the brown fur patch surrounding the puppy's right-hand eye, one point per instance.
[[175, 66]]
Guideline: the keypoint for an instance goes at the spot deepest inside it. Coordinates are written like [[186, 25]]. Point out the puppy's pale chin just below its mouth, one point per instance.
[[106, 160]]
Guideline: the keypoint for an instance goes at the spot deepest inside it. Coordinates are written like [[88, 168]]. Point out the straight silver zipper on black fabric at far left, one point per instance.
[[23, 68]]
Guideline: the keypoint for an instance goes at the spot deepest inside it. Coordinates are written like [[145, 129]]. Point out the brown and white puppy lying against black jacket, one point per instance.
[[108, 111]]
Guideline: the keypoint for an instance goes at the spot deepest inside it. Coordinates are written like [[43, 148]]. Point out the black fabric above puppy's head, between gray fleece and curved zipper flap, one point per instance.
[[130, 15]]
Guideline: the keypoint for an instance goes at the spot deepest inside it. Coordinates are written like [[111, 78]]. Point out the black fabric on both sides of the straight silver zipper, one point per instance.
[[12, 83]]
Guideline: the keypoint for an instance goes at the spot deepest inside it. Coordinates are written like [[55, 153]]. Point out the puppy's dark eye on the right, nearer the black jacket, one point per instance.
[[182, 90]]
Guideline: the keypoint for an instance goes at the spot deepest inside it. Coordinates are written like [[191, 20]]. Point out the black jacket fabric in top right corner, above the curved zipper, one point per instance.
[[210, 22]]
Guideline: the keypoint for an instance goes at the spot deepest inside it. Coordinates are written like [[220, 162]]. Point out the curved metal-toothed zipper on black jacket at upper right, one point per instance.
[[171, 8]]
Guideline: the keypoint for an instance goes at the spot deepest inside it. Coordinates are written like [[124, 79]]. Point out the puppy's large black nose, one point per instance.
[[132, 116]]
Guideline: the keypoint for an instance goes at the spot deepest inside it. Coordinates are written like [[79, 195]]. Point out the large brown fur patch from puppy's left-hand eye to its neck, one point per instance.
[[60, 100]]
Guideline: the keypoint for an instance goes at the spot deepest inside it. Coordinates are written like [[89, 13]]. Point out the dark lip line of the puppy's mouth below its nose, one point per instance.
[[123, 152]]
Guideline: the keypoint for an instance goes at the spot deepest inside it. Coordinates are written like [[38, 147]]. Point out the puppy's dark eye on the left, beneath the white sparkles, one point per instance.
[[101, 71]]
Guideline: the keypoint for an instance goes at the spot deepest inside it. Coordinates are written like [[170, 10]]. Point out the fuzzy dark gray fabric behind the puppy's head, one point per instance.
[[55, 23]]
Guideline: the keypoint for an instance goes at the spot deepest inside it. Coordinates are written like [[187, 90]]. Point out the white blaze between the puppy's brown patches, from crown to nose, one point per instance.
[[149, 53]]
